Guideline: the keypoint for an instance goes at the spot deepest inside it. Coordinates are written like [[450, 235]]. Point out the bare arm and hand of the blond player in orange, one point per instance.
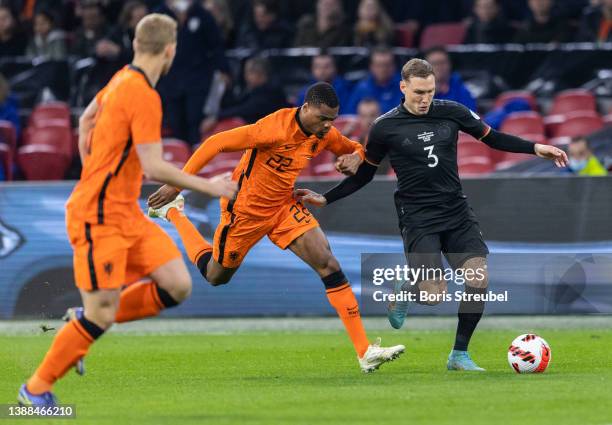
[[155, 168]]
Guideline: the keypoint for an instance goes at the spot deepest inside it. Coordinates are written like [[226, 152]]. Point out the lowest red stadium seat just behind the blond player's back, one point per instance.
[[42, 162]]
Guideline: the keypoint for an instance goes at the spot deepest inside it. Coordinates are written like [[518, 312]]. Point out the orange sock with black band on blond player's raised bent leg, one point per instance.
[[142, 299]]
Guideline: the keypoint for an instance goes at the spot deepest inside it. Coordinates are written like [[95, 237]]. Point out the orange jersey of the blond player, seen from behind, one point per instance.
[[129, 113]]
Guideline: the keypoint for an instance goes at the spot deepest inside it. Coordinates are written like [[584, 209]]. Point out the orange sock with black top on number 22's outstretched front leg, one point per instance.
[[344, 301]]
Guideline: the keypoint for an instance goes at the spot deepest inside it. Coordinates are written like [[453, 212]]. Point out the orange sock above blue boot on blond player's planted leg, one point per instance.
[[69, 345]]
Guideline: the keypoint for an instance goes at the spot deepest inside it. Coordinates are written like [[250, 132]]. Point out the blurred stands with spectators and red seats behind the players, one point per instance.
[[541, 69]]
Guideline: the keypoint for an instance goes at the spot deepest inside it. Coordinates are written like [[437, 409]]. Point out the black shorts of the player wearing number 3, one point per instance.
[[458, 244]]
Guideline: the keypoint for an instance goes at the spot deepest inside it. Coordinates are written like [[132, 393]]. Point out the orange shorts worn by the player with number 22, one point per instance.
[[236, 233]]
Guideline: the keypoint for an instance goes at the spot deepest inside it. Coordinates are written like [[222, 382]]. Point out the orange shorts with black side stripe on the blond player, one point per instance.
[[108, 257]]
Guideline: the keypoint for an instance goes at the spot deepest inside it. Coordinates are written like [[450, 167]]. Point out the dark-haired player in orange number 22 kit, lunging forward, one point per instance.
[[278, 147]]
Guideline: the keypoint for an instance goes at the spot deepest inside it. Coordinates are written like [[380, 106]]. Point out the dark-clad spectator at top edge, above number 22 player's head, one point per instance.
[[327, 28]]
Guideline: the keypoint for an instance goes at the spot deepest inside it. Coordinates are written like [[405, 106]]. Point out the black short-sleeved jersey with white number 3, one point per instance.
[[422, 150]]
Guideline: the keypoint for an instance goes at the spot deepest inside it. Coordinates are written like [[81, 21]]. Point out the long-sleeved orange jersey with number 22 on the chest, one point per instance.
[[277, 150]]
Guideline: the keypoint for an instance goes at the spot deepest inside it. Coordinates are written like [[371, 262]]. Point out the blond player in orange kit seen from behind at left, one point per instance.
[[113, 242]]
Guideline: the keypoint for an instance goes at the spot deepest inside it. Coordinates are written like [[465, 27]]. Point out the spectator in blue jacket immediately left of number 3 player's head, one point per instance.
[[382, 83]]
